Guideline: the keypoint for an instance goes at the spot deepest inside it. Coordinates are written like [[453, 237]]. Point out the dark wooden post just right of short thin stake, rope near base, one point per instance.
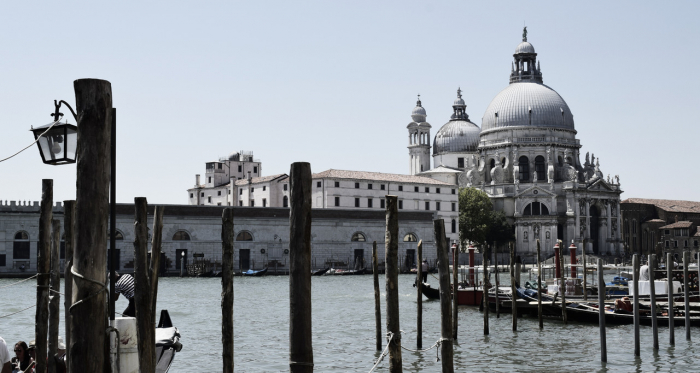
[[391, 249]]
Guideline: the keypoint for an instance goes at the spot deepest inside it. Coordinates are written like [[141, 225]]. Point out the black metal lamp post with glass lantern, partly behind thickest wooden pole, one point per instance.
[[57, 144]]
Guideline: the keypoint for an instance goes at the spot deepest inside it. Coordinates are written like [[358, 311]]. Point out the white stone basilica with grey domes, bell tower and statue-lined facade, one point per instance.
[[526, 157]]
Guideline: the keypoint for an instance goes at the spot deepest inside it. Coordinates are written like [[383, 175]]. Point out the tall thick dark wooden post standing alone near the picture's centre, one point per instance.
[[301, 354]]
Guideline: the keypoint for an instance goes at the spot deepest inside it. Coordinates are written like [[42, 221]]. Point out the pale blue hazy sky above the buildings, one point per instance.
[[333, 83]]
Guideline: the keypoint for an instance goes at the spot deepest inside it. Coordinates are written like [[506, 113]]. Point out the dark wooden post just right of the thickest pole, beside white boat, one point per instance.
[[142, 289]]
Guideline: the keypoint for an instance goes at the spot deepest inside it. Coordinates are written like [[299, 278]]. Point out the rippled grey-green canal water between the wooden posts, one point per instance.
[[344, 331]]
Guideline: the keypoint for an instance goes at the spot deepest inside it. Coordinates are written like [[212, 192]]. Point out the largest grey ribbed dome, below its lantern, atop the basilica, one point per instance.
[[527, 104]]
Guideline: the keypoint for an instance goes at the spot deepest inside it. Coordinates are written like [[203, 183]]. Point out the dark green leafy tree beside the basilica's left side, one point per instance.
[[475, 216]]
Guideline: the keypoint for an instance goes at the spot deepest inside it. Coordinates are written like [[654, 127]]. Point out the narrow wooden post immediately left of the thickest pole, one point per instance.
[[69, 229]]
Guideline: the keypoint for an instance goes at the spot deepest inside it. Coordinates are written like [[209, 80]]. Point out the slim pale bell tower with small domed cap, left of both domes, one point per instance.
[[418, 140]]
